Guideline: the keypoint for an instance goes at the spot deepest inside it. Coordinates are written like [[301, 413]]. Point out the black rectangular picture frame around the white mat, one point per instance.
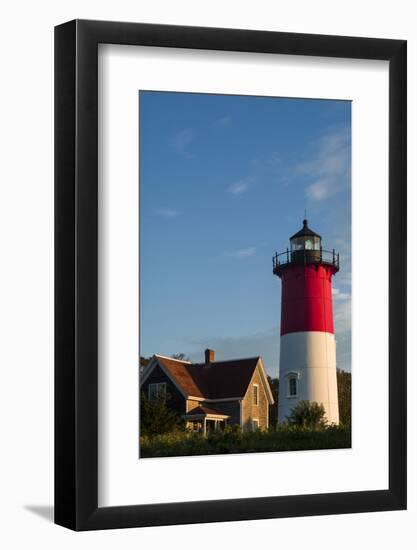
[[76, 272]]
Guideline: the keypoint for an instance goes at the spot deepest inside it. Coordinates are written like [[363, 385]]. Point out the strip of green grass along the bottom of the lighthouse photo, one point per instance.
[[286, 438]]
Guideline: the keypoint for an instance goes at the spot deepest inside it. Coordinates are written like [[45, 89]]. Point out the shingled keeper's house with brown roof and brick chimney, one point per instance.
[[212, 394]]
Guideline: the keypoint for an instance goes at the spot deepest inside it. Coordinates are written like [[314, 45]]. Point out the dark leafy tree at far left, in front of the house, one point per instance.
[[156, 418]]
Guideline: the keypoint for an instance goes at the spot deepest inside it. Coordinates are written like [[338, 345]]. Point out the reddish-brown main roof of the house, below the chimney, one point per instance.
[[218, 380]]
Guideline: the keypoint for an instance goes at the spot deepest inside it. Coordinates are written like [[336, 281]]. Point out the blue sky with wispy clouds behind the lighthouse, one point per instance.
[[224, 182]]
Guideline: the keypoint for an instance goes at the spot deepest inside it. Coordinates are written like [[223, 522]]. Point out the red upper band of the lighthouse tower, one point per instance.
[[307, 299]]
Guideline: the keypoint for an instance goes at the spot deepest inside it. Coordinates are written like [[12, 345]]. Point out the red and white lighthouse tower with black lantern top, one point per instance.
[[307, 365]]
